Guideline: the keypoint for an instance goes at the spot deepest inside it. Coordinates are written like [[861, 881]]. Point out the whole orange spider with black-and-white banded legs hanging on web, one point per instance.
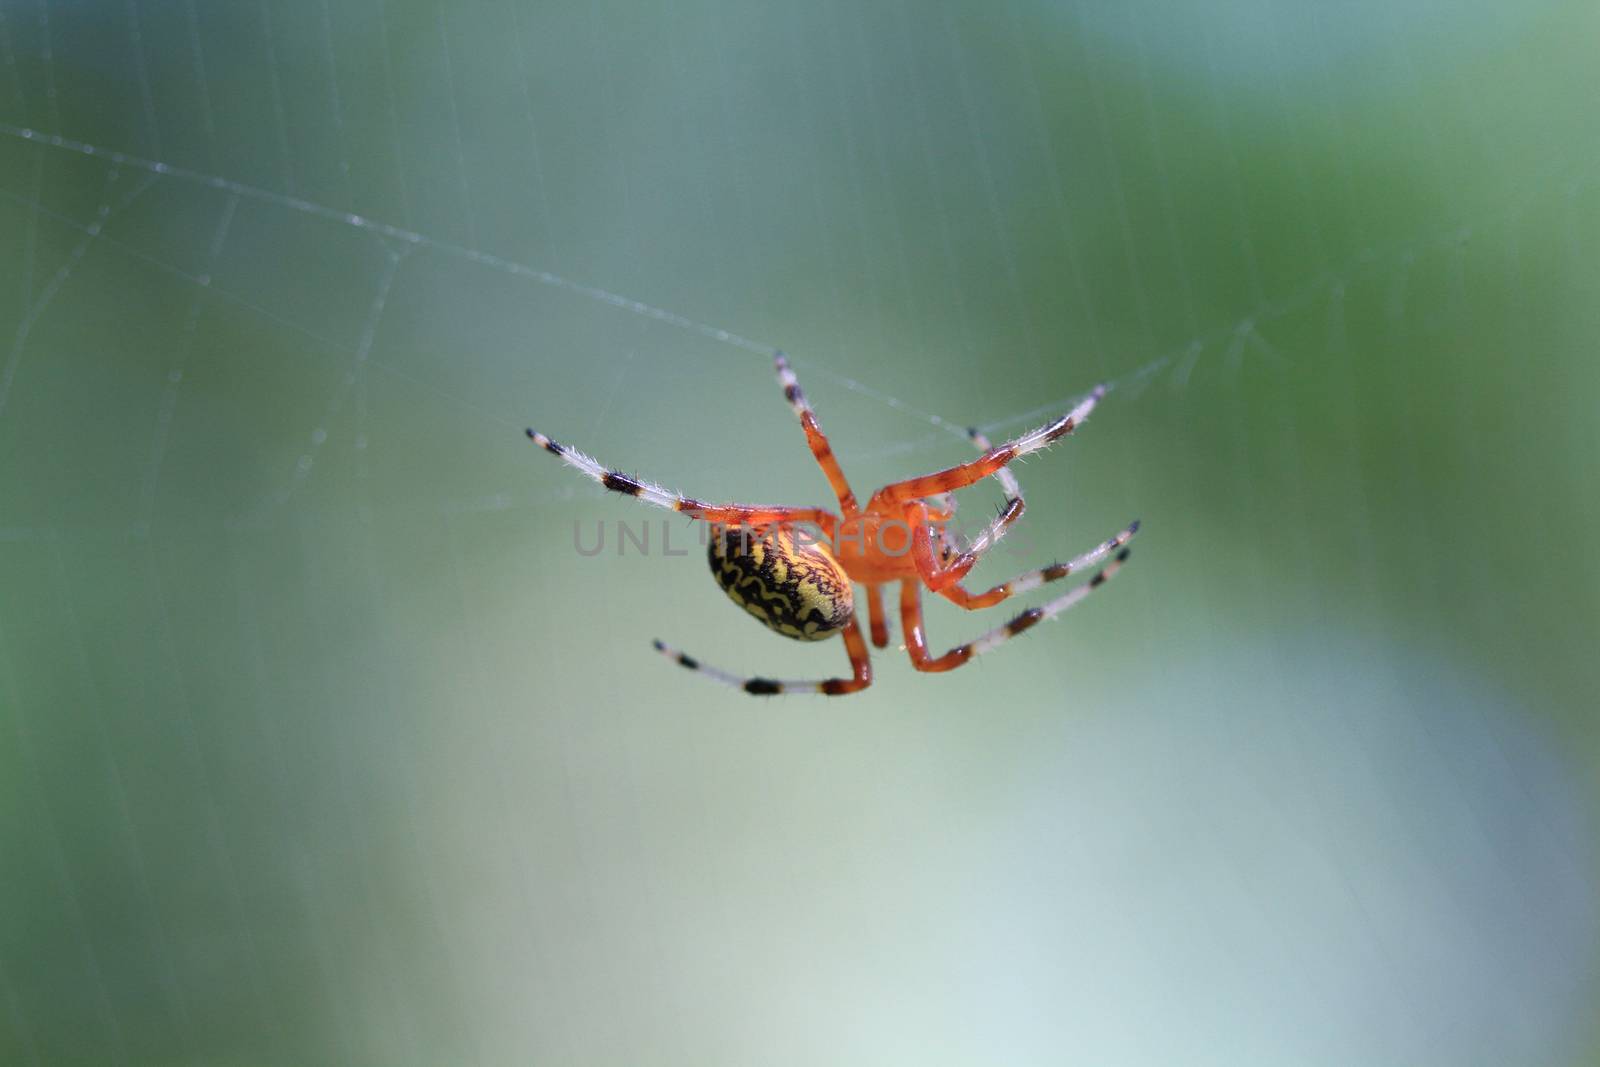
[[801, 586]]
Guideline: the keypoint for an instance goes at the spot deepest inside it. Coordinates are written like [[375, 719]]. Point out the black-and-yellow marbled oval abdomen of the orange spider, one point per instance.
[[794, 588]]
